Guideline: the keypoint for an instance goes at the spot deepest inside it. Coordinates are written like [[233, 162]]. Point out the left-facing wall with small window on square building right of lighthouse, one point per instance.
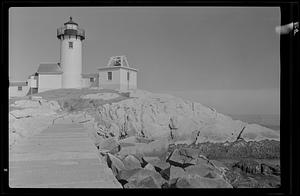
[[109, 84]]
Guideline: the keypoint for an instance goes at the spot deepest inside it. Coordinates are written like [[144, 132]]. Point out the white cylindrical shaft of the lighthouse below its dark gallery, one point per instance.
[[71, 62]]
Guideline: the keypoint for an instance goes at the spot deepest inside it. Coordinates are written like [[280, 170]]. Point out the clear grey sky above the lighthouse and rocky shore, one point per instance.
[[228, 58]]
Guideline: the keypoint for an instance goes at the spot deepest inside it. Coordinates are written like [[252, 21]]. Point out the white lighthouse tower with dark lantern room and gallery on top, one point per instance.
[[71, 37]]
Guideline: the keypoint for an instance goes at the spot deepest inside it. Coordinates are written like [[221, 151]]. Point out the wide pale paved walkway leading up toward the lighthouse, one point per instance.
[[62, 156]]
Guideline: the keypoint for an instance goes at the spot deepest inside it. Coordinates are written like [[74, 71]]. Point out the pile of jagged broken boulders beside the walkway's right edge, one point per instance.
[[140, 164]]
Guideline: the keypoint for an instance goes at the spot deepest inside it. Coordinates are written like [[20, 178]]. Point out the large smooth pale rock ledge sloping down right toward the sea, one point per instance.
[[156, 115]]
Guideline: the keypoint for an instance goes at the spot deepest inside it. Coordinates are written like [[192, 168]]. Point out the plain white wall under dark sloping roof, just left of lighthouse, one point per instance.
[[48, 82]]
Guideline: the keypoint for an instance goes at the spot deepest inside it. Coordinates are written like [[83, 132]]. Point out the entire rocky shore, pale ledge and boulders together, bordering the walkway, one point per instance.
[[137, 136]]
